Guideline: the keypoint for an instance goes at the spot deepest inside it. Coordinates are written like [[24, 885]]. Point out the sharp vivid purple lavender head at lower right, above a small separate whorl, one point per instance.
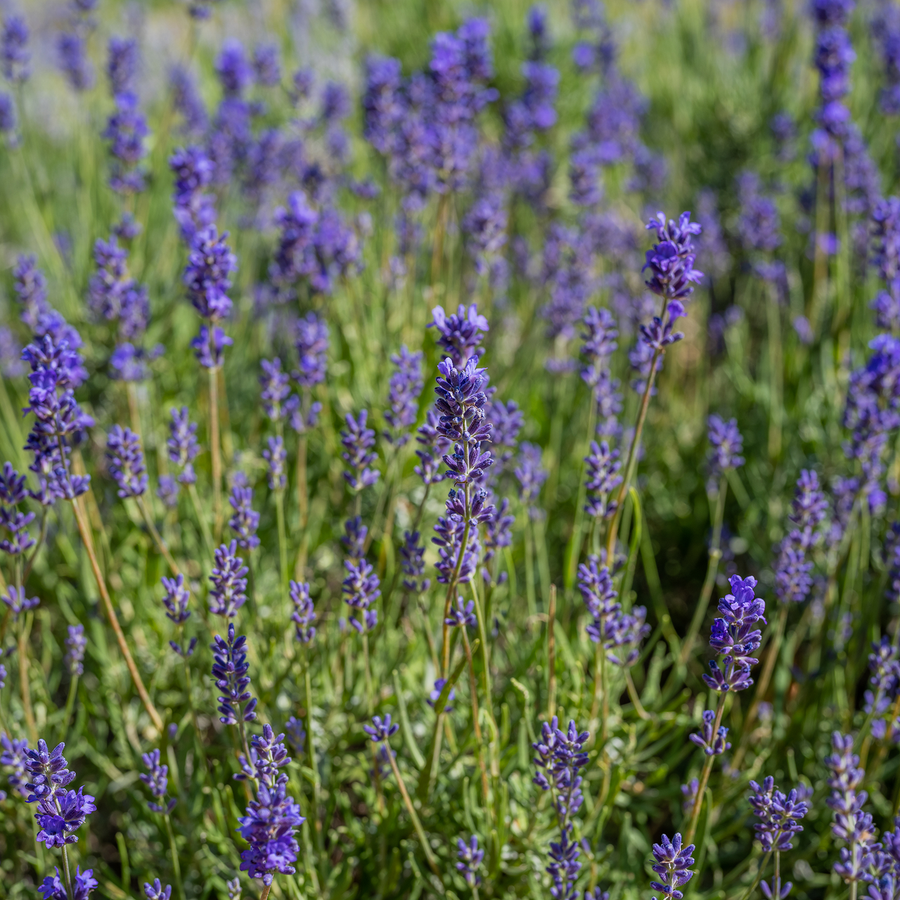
[[735, 636]]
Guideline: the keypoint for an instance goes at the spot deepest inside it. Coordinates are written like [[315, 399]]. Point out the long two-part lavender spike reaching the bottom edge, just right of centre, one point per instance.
[[559, 761]]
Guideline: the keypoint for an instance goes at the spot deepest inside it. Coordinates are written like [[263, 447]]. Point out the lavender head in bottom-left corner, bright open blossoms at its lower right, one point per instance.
[[61, 812]]
